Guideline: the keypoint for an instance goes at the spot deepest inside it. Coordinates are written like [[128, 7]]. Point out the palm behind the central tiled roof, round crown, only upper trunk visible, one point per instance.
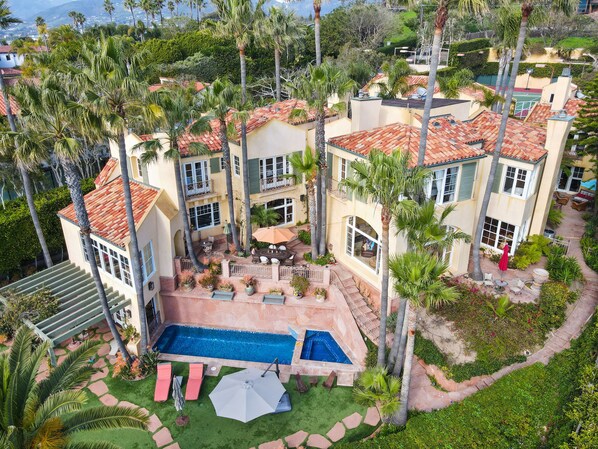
[[279, 31]]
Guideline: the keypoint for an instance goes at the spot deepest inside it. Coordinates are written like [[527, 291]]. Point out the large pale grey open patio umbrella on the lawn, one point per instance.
[[247, 394]]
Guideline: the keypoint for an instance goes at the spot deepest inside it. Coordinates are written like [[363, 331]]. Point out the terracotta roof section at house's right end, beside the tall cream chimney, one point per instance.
[[522, 141]]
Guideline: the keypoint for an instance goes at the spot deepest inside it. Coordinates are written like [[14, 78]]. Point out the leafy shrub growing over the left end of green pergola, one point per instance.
[[38, 306]]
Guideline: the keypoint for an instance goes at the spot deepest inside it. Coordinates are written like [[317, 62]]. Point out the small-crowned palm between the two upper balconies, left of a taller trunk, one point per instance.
[[219, 99]]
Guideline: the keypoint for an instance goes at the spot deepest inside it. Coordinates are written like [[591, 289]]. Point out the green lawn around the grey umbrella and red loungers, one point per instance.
[[315, 412]]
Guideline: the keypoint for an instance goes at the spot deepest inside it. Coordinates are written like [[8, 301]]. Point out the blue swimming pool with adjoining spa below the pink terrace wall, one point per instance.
[[247, 346]]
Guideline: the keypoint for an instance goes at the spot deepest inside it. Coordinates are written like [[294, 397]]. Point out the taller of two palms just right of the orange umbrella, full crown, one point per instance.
[[316, 88]]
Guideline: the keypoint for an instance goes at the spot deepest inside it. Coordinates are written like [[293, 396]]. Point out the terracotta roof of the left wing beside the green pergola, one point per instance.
[[106, 209]]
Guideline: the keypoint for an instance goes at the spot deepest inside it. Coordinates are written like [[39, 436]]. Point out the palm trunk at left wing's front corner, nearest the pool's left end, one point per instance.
[[135, 253]]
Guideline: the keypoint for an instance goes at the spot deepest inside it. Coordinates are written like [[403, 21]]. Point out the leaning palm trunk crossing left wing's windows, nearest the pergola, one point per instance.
[[73, 182]]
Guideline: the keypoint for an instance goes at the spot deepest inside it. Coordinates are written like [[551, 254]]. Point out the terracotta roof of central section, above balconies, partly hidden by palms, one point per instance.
[[257, 118]]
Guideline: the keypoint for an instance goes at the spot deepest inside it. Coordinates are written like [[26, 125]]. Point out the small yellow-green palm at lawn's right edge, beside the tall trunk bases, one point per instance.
[[375, 387]]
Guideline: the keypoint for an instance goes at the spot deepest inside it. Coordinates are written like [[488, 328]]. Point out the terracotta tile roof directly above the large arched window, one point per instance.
[[440, 149]]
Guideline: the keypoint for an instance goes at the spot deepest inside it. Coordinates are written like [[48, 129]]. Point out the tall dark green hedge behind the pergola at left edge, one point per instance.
[[18, 240]]
